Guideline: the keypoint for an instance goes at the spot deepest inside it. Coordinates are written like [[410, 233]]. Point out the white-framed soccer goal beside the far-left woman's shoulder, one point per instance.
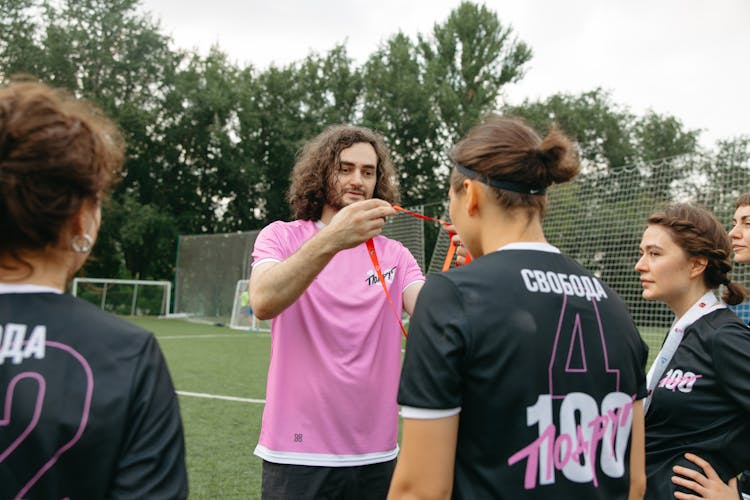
[[126, 297]]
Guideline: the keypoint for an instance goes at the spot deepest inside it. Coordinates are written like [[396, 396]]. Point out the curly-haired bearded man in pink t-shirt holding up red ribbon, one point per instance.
[[330, 423]]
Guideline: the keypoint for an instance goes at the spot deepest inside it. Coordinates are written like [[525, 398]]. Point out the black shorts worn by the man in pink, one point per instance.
[[299, 482]]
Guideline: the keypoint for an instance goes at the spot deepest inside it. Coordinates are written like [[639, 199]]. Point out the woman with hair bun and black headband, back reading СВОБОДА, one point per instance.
[[524, 373]]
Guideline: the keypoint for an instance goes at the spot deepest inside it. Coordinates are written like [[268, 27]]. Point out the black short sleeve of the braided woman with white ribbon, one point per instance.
[[731, 354]]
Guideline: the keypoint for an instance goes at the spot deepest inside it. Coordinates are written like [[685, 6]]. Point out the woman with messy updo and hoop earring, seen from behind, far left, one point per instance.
[[89, 407]]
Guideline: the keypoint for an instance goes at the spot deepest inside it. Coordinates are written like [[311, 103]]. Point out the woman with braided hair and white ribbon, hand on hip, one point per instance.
[[699, 394]]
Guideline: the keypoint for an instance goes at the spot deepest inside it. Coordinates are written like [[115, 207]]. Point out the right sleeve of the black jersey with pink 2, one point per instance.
[[152, 461]]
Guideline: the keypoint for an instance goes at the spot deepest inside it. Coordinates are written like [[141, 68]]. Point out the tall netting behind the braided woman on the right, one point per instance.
[[599, 220]]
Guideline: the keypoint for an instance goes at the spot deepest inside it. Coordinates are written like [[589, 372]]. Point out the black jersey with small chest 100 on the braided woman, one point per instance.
[[702, 403]]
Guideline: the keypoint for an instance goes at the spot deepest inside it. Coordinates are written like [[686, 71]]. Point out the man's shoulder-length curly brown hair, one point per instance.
[[316, 165]]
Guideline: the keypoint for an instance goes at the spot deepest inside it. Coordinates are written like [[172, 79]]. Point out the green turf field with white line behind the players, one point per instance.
[[221, 434]]
